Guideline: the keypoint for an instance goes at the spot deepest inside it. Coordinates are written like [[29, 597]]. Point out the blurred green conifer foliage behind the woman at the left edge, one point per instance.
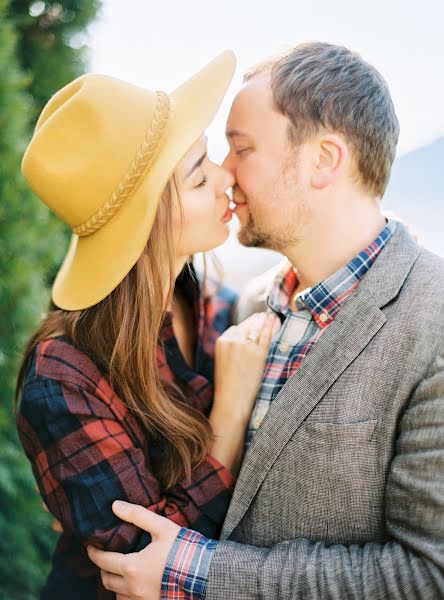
[[39, 53]]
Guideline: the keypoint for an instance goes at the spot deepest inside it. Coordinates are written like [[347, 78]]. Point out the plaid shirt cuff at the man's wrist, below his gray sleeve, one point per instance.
[[187, 567]]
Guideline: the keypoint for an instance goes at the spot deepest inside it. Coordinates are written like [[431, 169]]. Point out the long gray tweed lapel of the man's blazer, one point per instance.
[[354, 327]]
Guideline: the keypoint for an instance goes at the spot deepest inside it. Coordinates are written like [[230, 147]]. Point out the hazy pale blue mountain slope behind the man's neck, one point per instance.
[[416, 193]]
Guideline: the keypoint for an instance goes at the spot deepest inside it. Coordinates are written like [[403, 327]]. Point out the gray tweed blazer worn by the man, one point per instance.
[[341, 493]]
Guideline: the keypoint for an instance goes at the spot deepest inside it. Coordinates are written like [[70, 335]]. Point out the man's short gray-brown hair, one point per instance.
[[323, 85]]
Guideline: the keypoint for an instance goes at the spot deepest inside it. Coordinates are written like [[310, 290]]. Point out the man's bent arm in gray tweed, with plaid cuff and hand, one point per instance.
[[409, 566]]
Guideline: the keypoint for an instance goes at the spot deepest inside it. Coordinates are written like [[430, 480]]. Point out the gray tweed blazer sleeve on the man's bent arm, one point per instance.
[[409, 566]]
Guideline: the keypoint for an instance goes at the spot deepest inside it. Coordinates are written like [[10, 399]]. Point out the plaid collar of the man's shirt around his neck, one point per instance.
[[325, 299]]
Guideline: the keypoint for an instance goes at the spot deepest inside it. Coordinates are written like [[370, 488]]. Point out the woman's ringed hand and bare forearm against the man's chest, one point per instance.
[[240, 357]]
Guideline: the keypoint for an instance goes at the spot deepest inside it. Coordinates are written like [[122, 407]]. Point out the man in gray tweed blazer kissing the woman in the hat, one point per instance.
[[341, 493]]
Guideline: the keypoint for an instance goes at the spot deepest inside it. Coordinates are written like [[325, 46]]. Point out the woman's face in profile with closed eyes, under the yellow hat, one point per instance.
[[203, 223]]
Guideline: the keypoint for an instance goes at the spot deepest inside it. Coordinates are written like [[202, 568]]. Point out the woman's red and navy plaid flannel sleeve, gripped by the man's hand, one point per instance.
[[84, 457]]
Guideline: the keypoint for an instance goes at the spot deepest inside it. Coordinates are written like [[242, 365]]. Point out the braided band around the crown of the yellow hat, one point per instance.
[[144, 158]]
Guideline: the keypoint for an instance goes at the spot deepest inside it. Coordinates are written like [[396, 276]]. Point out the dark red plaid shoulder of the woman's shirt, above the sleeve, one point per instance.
[[58, 359]]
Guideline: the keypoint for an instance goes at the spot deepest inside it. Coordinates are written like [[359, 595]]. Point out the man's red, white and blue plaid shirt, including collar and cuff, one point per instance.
[[188, 564]]
